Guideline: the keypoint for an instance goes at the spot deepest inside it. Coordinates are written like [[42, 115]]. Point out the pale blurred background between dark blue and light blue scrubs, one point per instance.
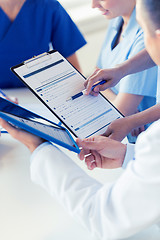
[[92, 25]]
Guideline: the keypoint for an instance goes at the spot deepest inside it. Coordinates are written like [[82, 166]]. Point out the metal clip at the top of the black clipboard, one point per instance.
[[37, 59]]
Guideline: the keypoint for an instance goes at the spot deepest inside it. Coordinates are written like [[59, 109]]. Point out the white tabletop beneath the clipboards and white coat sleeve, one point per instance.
[[27, 212]]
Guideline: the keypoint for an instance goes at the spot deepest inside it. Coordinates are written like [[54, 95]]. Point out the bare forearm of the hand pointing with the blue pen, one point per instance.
[[138, 63]]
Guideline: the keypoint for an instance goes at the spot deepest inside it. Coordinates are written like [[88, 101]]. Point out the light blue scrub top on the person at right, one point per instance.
[[142, 83]]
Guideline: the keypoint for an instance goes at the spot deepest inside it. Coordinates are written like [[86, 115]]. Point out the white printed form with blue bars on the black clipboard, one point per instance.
[[55, 80]]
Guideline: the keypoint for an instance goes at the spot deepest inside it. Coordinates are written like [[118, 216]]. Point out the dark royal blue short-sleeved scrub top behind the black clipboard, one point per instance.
[[39, 23]]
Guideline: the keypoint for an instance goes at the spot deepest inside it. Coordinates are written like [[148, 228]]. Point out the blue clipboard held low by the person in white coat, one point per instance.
[[35, 124]]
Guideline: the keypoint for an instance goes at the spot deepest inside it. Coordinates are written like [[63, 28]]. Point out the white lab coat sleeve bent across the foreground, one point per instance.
[[110, 211]]
